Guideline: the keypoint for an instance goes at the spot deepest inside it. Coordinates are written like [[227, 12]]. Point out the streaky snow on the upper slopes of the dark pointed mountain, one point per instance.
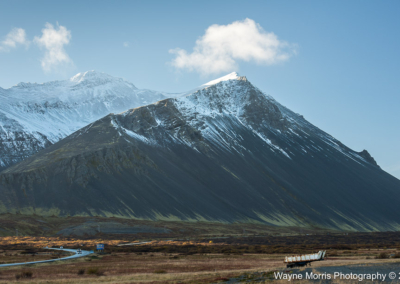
[[231, 100]]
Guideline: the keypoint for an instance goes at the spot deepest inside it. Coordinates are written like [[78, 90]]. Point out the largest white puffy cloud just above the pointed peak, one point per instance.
[[219, 49]]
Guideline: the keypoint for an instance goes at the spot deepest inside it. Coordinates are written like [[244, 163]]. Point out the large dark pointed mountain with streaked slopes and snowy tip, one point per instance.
[[227, 152]]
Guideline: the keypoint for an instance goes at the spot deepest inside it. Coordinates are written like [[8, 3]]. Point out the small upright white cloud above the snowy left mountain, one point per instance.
[[53, 41]]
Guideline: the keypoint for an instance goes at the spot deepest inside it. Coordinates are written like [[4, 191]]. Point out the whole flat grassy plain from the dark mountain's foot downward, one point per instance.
[[178, 252]]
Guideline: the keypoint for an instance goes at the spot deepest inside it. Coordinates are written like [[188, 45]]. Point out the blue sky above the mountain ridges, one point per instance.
[[339, 66]]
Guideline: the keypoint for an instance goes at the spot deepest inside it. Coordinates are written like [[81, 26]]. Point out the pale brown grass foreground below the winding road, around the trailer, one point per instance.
[[151, 267]]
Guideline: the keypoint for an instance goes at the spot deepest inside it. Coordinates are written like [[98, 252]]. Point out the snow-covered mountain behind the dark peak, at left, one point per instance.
[[34, 116]]
